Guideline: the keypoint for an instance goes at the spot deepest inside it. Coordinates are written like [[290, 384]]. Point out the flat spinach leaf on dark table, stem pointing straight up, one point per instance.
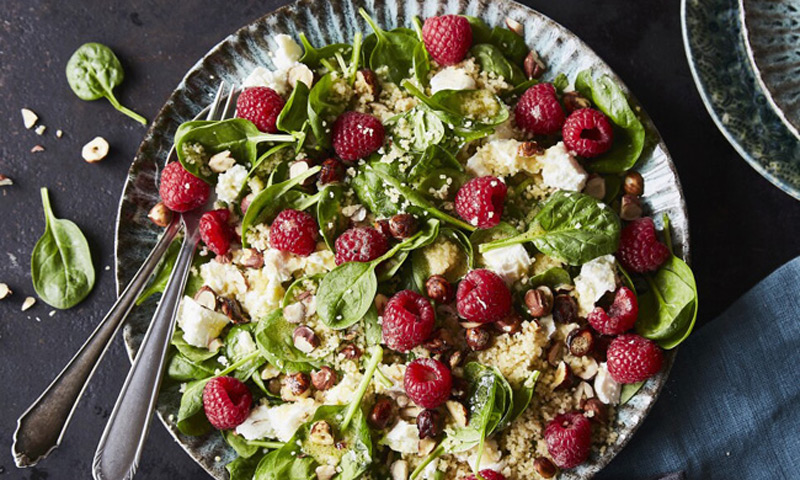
[[61, 263]]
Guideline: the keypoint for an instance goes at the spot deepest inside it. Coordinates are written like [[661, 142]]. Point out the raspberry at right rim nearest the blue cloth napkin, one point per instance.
[[632, 358]]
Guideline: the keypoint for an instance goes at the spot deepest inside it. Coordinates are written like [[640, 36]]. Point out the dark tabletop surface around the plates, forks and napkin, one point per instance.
[[742, 227]]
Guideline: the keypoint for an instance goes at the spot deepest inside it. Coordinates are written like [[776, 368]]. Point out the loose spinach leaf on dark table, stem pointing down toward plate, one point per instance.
[[93, 72]]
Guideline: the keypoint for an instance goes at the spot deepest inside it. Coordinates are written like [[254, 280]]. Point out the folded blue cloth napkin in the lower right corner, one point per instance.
[[731, 407]]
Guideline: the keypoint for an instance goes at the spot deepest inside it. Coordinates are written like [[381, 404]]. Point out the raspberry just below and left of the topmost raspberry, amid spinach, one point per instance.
[[356, 135]]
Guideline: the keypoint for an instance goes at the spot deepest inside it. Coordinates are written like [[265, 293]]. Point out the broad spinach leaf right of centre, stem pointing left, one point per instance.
[[571, 227]]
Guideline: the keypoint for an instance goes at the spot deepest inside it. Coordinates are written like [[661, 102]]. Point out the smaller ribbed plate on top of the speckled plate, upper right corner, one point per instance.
[[772, 37]]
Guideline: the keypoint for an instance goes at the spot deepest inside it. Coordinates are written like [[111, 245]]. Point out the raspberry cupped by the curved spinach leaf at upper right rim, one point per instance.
[[588, 133]]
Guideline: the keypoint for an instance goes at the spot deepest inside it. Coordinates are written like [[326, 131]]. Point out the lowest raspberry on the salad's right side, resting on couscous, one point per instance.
[[569, 439]]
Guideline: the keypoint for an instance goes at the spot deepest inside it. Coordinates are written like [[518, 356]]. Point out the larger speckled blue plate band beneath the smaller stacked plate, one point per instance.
[[715, 46]]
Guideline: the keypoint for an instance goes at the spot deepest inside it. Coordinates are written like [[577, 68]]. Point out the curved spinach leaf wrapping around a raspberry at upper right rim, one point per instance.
[[629, 134]]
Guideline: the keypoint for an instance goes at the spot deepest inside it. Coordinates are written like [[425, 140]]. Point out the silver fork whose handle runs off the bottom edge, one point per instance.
[[120, 447]]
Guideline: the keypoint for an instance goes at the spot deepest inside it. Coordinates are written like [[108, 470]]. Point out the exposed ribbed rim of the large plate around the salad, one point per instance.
[[337, 20]]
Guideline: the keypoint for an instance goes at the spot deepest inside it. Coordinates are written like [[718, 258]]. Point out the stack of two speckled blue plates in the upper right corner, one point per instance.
[[745, 59]]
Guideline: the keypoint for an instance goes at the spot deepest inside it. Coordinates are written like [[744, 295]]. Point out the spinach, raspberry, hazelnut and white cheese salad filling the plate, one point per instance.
[[423, 261]]
